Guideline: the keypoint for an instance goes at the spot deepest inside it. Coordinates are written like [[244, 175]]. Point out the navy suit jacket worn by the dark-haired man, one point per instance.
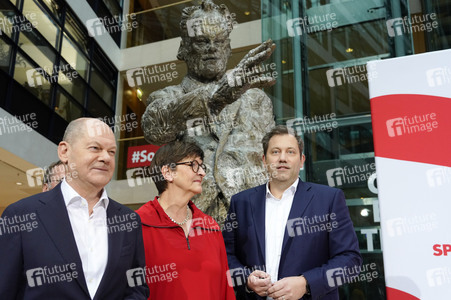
[[308, 247]]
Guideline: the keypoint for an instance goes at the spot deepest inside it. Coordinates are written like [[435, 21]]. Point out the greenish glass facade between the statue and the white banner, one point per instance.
[[322, 93]]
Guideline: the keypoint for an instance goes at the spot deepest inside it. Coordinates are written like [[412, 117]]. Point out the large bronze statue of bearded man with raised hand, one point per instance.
[[225, 113]]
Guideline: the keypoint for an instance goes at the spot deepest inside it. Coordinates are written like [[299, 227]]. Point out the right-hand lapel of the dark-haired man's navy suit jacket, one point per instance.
[[301, 200]]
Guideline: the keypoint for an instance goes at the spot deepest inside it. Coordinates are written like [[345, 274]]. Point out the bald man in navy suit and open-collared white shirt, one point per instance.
[[74, 242]]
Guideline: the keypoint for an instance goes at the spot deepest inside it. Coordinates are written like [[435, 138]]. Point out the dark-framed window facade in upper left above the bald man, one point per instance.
[[52, 67]]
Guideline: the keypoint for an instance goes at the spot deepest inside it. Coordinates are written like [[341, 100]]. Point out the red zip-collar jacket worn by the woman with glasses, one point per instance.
[[178, 267]]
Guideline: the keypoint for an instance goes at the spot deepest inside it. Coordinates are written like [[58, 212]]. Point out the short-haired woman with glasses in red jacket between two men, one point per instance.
[[185, 252]]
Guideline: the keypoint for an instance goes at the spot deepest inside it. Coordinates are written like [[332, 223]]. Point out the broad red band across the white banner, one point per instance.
[[412, 128]]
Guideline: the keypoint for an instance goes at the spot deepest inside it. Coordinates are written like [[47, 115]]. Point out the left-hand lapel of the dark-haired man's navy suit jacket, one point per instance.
[[258, 204]]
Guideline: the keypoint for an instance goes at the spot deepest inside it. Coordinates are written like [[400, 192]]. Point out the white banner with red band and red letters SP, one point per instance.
[[411, 114]]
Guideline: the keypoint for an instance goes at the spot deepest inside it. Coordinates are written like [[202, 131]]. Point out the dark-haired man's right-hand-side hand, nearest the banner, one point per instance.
[[288, 288]]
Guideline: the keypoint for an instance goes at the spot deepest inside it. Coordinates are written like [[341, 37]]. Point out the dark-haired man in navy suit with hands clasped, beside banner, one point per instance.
[[289, 239]]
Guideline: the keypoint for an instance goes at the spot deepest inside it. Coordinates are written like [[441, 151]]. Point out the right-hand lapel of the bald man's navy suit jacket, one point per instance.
[[114, 248]]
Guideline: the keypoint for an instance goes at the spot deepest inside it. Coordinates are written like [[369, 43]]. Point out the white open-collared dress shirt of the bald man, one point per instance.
[[90, 233]]
